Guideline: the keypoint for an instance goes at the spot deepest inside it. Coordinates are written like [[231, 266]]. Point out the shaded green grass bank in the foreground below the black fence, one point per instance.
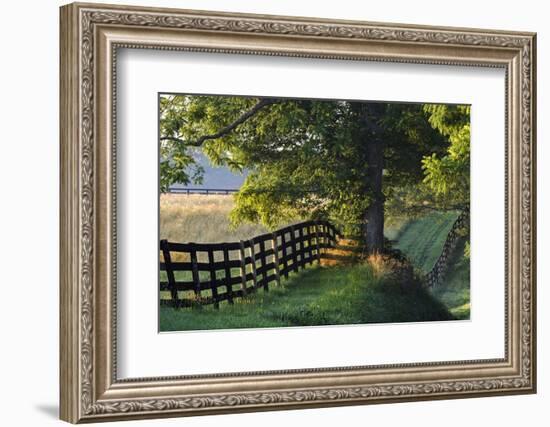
[[316, 296]]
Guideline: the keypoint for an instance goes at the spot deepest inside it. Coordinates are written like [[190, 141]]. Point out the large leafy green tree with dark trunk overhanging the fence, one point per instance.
[[305, 158]]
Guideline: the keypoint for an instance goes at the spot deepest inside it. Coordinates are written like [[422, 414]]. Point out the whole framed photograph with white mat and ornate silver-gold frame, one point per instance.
[[265, 212]]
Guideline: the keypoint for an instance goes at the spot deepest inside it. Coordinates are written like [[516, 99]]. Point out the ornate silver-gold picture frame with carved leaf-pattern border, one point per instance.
[[91, 390]]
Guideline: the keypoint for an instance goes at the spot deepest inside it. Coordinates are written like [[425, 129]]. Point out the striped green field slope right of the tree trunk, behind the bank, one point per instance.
[[422, 239]]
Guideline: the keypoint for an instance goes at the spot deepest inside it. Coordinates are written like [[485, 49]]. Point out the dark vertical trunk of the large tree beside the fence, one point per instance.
[[373, 220]]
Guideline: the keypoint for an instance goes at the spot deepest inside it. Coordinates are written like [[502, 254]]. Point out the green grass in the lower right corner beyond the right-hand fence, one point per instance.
[[454, 292]]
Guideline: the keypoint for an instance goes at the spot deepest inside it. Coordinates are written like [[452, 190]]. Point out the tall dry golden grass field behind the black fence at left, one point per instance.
[[201, 219]]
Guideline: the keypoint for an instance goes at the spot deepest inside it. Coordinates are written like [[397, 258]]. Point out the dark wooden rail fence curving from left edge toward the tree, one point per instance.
[[209, 273]]
